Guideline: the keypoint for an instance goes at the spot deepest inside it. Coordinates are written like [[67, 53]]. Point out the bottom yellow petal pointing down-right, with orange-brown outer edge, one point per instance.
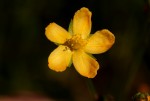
[[85, 64]]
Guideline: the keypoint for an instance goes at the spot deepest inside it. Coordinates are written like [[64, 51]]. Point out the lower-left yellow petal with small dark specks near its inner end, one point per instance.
[[60, 58]]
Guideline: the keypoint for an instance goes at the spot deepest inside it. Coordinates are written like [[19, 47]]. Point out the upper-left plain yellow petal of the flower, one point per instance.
[[56, 33]]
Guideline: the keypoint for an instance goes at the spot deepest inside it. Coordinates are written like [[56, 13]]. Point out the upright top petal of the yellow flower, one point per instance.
[[82, 22]]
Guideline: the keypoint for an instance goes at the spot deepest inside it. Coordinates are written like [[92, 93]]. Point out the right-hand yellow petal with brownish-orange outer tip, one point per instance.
[[100, 42]]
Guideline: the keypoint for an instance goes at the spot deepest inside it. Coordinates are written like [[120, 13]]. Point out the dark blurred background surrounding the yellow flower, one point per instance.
[[24, 49]]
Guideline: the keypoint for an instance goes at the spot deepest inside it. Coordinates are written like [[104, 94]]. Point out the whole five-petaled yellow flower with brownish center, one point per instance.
[[78, 44]]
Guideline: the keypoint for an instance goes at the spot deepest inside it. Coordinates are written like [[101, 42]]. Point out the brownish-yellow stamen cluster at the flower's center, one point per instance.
[[76, 42]]
